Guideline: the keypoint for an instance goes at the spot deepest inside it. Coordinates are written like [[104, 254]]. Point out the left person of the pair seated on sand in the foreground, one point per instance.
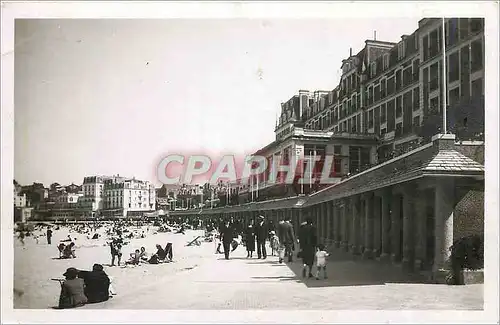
[[72, 290]]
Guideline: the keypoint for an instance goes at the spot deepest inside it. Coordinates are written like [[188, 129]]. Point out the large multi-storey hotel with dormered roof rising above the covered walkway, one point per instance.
[[389, 101]]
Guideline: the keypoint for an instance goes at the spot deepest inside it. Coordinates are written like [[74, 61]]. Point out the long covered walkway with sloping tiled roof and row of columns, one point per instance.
[[400, 211]]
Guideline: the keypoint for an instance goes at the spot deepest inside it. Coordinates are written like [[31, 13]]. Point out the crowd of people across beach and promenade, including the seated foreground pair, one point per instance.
[[80, 287]]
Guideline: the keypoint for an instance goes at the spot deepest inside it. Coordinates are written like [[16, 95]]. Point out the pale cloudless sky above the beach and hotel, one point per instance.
[[114, 96]]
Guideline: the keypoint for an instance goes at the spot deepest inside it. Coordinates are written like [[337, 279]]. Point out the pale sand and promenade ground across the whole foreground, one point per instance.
[[200, 279]]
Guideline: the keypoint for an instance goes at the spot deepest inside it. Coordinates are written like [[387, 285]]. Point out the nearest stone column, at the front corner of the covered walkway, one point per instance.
[[444, 206]]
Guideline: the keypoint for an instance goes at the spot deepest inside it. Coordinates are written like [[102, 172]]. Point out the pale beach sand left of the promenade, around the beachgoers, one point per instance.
[[35, 264]]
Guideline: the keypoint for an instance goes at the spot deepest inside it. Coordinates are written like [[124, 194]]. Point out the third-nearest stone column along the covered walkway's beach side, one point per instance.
[[408, 228]]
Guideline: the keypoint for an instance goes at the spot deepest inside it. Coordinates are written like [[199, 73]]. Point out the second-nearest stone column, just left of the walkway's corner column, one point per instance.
[[421, 233]]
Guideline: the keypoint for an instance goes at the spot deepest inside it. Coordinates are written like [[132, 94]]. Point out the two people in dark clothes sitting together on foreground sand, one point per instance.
[[83, 287]]
